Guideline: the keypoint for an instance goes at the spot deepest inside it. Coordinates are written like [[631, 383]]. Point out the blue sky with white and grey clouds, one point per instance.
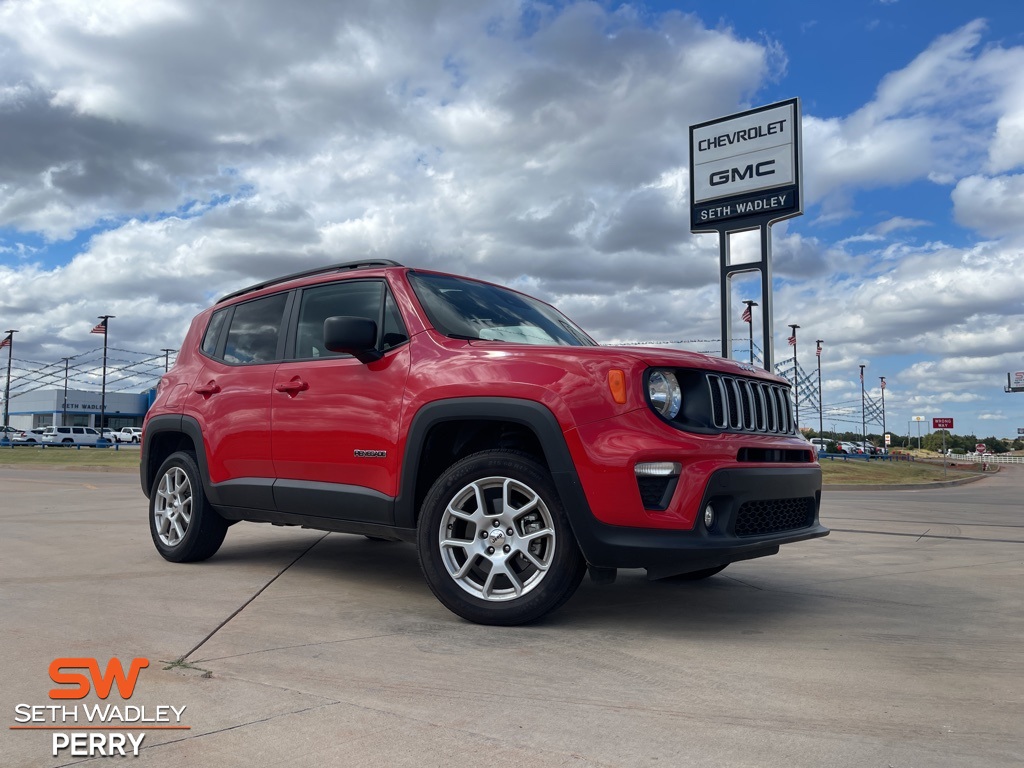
[[156, 156]]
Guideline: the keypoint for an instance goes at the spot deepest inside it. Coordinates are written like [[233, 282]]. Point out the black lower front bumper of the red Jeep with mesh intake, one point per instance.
[[757, 510]]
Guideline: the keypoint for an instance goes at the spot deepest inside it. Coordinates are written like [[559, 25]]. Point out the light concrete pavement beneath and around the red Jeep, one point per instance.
[[893, 643]]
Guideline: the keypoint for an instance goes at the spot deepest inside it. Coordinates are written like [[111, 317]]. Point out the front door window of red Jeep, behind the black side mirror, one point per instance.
[[352, 298]]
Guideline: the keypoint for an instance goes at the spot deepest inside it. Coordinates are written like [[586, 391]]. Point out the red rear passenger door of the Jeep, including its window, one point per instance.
[[231, 399]]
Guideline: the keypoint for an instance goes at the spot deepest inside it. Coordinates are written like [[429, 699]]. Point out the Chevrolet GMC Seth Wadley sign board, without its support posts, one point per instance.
[[745, 166]]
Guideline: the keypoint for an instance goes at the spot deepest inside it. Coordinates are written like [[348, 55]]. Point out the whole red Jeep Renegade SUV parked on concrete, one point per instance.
[[479, 423]]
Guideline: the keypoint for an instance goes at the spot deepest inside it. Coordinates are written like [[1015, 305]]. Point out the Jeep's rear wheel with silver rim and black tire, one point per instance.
[[184, 526]]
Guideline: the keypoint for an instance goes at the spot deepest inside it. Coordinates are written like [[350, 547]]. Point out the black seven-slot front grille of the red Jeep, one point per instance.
[[750, 406]]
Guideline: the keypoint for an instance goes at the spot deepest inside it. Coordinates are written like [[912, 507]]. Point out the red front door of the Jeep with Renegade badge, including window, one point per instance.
[[336, 421]]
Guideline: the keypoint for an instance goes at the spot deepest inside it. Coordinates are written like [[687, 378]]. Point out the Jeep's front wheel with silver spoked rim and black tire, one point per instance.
[[526, 565]]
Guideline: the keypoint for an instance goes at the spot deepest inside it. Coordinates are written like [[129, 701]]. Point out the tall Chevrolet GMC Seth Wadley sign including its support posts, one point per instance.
[[746, 175]]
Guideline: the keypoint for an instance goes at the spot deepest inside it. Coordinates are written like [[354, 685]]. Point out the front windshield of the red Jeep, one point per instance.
[[466, 310]]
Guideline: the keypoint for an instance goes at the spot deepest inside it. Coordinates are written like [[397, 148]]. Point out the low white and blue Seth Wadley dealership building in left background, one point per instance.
[[46, 408]]
